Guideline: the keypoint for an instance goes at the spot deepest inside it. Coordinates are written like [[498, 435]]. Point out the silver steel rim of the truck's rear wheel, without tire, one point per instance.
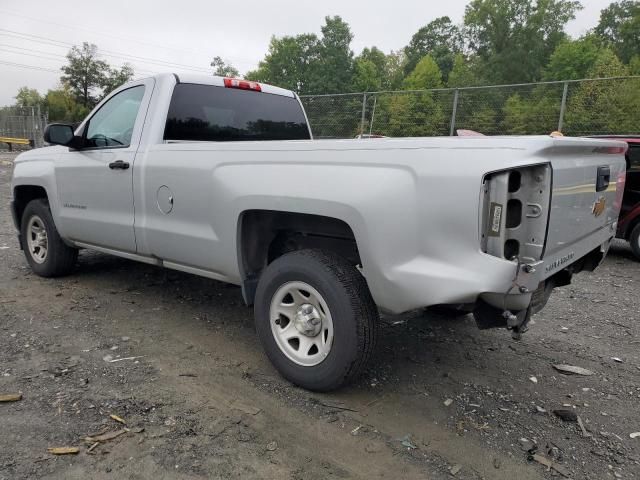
[[301, 323]]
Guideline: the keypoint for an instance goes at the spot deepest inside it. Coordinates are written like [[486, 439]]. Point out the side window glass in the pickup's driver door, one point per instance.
[[112, 125]]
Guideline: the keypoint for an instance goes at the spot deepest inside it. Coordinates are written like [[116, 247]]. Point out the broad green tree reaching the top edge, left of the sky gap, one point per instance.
[[515, 38]]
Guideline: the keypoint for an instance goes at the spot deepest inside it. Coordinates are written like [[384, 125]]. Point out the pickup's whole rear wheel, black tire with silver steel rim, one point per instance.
[[316, 319]]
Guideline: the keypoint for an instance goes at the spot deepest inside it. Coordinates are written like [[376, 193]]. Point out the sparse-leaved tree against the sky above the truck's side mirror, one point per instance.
[[84, 73]]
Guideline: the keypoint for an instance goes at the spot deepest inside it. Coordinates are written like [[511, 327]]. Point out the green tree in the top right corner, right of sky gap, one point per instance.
[[619, 28]]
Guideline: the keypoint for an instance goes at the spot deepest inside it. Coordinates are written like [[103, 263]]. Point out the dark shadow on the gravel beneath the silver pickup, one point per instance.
[[408, 343]]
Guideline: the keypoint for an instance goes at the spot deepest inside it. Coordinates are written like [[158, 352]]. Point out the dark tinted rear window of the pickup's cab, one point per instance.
[[219, 114]]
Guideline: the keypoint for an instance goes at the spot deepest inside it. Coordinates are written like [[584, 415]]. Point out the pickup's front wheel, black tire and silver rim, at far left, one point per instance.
[[45, 251]]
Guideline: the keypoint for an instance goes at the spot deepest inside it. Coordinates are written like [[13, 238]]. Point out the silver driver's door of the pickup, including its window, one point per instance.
[[95, 184]]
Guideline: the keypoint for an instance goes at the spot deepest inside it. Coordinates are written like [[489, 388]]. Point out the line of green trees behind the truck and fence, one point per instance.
[[498, 42]]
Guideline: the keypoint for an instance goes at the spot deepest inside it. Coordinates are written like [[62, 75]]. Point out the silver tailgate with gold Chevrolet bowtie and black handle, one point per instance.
[[588, 180]]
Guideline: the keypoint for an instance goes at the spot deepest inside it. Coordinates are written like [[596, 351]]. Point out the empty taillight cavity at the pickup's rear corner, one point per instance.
[[515, 212]]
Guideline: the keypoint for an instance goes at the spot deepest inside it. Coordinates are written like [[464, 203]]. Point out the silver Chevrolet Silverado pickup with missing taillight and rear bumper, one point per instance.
[[221, 178]]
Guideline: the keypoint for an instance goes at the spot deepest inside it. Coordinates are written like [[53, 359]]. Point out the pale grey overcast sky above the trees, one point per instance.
[[190, 33]]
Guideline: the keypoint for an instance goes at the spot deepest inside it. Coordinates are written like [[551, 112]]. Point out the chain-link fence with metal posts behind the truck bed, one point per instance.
[[603, 106]]
